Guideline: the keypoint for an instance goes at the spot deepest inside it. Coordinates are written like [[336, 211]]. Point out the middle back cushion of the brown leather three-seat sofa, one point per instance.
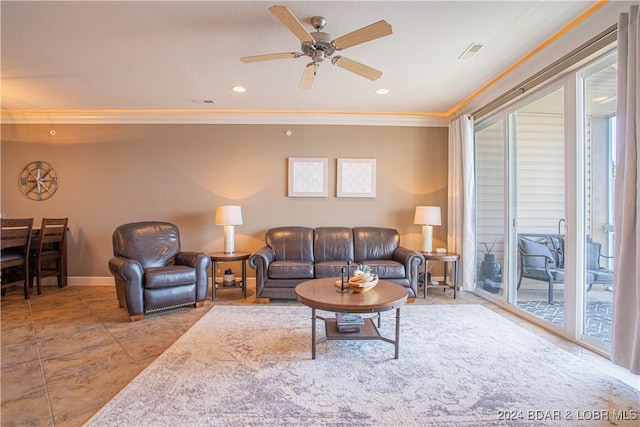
[[332, 244]]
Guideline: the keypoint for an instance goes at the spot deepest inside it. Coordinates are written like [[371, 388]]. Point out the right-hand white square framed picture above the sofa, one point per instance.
[[356, 178]]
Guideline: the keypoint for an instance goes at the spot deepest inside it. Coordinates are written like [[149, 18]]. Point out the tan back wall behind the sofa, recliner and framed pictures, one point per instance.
[[113, 174]]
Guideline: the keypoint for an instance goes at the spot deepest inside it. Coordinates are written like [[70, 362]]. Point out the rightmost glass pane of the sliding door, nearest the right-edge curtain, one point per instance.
[[599, 170]]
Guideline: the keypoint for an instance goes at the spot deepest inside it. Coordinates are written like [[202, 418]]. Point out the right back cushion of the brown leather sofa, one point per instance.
[[374, 243]]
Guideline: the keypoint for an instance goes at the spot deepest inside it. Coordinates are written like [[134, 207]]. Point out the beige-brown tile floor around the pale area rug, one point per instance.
[[67, 352]]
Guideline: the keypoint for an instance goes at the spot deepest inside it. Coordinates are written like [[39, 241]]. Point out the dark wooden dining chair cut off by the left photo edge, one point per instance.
[[15, 240]]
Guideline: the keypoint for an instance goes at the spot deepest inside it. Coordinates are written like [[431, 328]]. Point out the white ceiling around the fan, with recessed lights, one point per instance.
[[148, 55]]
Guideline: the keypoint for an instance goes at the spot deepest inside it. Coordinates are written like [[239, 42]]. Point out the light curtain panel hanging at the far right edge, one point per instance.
[[625, 339]]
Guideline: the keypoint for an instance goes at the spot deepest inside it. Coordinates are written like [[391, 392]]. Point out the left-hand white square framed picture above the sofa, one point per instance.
[[308, 177]]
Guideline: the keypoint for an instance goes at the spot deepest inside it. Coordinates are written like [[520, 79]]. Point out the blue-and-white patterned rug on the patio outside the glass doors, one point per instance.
[[598, 316]]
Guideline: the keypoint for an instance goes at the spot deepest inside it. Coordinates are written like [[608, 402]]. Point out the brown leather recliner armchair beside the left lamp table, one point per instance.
[[152, 273]]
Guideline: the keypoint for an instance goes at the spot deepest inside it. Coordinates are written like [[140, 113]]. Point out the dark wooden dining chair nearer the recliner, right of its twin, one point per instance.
[[48, 259]]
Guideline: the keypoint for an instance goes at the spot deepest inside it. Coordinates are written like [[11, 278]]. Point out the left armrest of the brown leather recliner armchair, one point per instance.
[[128, 275]]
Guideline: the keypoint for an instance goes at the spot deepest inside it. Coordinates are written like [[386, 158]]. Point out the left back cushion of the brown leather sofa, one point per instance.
[[291, 243]]
